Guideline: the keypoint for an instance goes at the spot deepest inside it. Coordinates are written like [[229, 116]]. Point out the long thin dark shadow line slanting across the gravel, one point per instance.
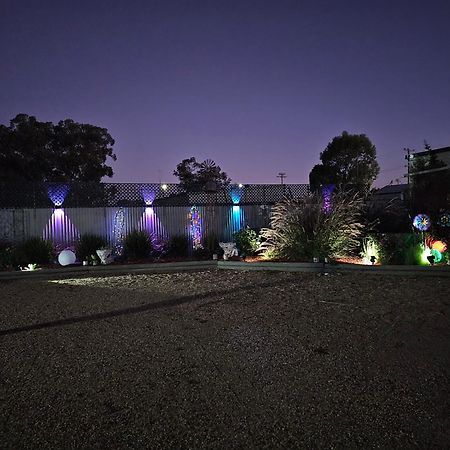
[[170, 303]]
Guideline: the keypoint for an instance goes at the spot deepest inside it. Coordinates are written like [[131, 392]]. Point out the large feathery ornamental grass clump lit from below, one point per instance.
[[301, 229]]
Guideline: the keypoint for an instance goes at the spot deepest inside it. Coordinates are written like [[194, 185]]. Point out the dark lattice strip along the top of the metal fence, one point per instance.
[[81, 195]]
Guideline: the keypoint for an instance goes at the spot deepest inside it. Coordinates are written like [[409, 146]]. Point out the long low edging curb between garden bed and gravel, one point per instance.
[[66, 272]]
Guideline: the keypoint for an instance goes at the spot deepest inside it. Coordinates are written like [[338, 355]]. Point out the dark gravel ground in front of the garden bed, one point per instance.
[[224, 359]]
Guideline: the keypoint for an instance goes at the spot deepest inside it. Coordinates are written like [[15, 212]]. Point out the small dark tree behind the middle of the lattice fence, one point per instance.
[[195, 176]]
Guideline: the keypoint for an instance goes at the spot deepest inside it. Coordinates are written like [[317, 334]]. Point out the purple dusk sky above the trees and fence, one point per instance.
[[258, 86]]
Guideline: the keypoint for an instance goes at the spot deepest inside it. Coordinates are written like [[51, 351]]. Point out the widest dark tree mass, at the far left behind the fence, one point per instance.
[[42, 151]]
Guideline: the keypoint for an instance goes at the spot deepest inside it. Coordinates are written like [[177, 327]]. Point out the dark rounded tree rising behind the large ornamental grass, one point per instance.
[[349, 159]]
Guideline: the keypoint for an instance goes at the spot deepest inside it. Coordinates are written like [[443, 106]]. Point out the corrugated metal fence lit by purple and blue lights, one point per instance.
[[63, 226]]
